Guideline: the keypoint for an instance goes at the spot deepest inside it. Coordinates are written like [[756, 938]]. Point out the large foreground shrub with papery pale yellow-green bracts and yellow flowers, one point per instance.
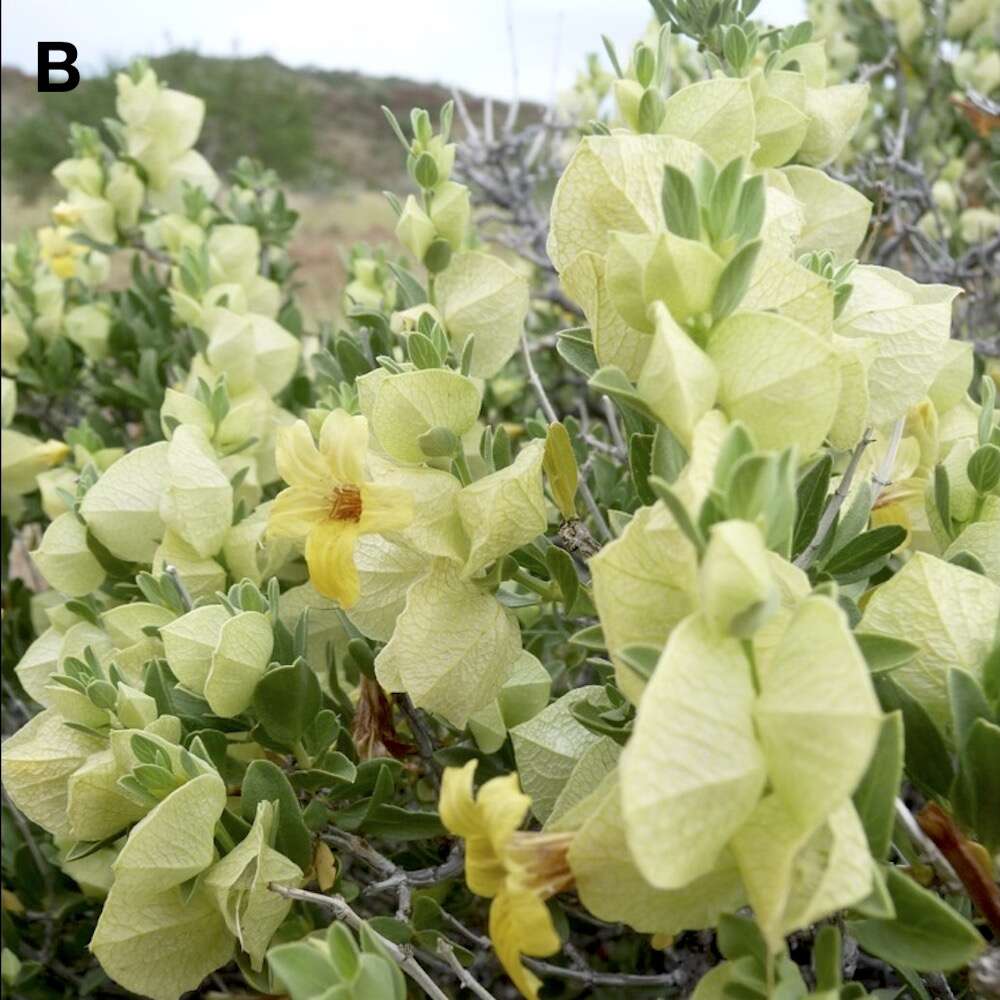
[[657, 609]]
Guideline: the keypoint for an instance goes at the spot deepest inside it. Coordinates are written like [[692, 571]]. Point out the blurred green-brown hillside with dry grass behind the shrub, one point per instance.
[[322, 131]]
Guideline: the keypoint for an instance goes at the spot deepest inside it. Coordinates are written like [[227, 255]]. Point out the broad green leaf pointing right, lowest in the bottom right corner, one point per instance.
[[926, 934]]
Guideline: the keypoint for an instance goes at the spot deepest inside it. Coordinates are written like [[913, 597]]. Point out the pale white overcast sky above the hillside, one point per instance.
[[460, 42]]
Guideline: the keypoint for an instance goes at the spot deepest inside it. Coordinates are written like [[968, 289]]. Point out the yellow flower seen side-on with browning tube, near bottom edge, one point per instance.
[[517, 869]]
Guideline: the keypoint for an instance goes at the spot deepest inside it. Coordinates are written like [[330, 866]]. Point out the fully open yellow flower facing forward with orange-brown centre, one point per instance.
[[329, 502]]
